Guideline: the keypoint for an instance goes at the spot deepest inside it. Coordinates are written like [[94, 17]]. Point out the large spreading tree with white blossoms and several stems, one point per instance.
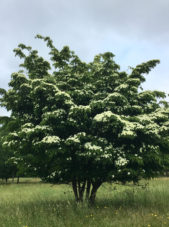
[[86, 123]]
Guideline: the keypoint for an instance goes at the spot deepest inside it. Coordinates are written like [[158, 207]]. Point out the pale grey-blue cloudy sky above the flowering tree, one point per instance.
[[134, 30]]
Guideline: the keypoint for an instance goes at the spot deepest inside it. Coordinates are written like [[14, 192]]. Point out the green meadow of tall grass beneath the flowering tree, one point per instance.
[[34, 204]]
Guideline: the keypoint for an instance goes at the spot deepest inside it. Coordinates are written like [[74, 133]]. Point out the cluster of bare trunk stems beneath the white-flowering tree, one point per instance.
[[88, 186]]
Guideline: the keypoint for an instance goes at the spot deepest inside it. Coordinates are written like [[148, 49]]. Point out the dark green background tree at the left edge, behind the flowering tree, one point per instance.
[[12, 164]]
